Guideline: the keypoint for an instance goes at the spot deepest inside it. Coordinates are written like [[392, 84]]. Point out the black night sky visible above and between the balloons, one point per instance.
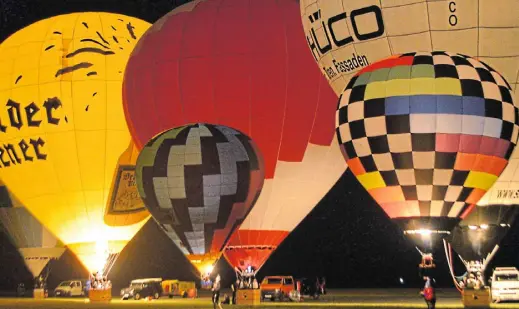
[[347, 237]]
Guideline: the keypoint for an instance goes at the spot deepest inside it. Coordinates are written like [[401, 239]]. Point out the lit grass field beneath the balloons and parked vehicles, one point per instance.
[[391, 298]]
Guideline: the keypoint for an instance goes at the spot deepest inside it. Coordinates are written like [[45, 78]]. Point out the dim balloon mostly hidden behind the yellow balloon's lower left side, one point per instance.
[[35, 243]]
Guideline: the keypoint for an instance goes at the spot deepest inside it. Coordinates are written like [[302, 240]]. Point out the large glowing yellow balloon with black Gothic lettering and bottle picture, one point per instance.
[[66, 147]]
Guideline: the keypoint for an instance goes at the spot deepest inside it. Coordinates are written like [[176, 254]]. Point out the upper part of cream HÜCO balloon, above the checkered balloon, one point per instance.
[[345, 36]]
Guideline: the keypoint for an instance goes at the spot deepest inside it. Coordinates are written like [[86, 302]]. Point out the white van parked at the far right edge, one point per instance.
[[505, 284]]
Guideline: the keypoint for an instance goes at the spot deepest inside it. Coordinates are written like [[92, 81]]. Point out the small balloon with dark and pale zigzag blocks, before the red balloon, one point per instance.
[[199, 182]]
